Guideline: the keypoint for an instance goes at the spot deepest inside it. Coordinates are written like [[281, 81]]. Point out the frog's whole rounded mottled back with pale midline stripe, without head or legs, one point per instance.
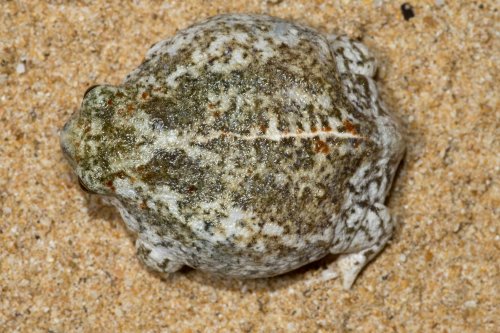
[[252, 148]]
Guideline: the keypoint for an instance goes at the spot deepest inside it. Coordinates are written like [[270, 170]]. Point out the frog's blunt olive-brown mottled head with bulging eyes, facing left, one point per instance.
[[98, 138]]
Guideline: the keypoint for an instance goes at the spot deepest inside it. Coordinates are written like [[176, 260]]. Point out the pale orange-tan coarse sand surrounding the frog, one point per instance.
[[67, 263]]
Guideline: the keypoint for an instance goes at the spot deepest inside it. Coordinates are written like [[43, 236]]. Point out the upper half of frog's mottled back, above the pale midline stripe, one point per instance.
[[244, 75]]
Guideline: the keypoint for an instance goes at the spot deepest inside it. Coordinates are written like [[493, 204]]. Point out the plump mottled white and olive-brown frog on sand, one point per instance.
[[244, 146]]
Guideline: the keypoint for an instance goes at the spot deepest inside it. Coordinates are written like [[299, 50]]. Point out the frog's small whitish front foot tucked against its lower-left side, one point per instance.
[[157, 258]]
